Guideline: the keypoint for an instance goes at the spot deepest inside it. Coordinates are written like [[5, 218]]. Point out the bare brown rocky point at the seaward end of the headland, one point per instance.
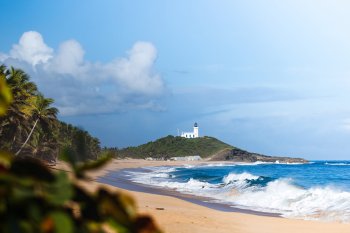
[[238, 155]]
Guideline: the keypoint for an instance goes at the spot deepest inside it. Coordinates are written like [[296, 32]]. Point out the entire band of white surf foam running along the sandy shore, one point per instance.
[[277, 196]]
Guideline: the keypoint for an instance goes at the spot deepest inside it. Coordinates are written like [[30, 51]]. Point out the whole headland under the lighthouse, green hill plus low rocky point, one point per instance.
[[207, 147]]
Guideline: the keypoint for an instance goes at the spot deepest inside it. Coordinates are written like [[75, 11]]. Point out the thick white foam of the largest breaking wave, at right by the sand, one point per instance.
[[281, 196]]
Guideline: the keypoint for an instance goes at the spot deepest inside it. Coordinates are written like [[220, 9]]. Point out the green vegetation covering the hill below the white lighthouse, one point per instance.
[[171, 146]]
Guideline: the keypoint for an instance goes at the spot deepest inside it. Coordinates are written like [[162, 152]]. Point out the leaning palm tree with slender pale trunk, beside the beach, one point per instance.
[[43, 114]]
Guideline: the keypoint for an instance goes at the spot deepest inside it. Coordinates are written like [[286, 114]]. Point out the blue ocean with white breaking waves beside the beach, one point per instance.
[[319, 190]]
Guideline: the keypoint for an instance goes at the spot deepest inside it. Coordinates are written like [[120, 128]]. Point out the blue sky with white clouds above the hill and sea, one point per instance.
[[271, 77]]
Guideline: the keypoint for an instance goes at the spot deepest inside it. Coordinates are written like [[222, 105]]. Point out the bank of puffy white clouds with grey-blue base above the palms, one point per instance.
[[83, 87]]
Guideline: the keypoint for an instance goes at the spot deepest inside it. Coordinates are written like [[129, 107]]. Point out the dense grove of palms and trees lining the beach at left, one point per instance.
[[31, 127]]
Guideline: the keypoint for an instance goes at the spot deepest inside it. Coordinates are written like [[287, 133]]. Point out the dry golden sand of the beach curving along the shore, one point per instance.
[[178, 216]]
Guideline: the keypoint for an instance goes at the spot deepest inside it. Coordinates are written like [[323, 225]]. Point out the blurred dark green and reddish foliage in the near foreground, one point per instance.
[[34, 199]]
